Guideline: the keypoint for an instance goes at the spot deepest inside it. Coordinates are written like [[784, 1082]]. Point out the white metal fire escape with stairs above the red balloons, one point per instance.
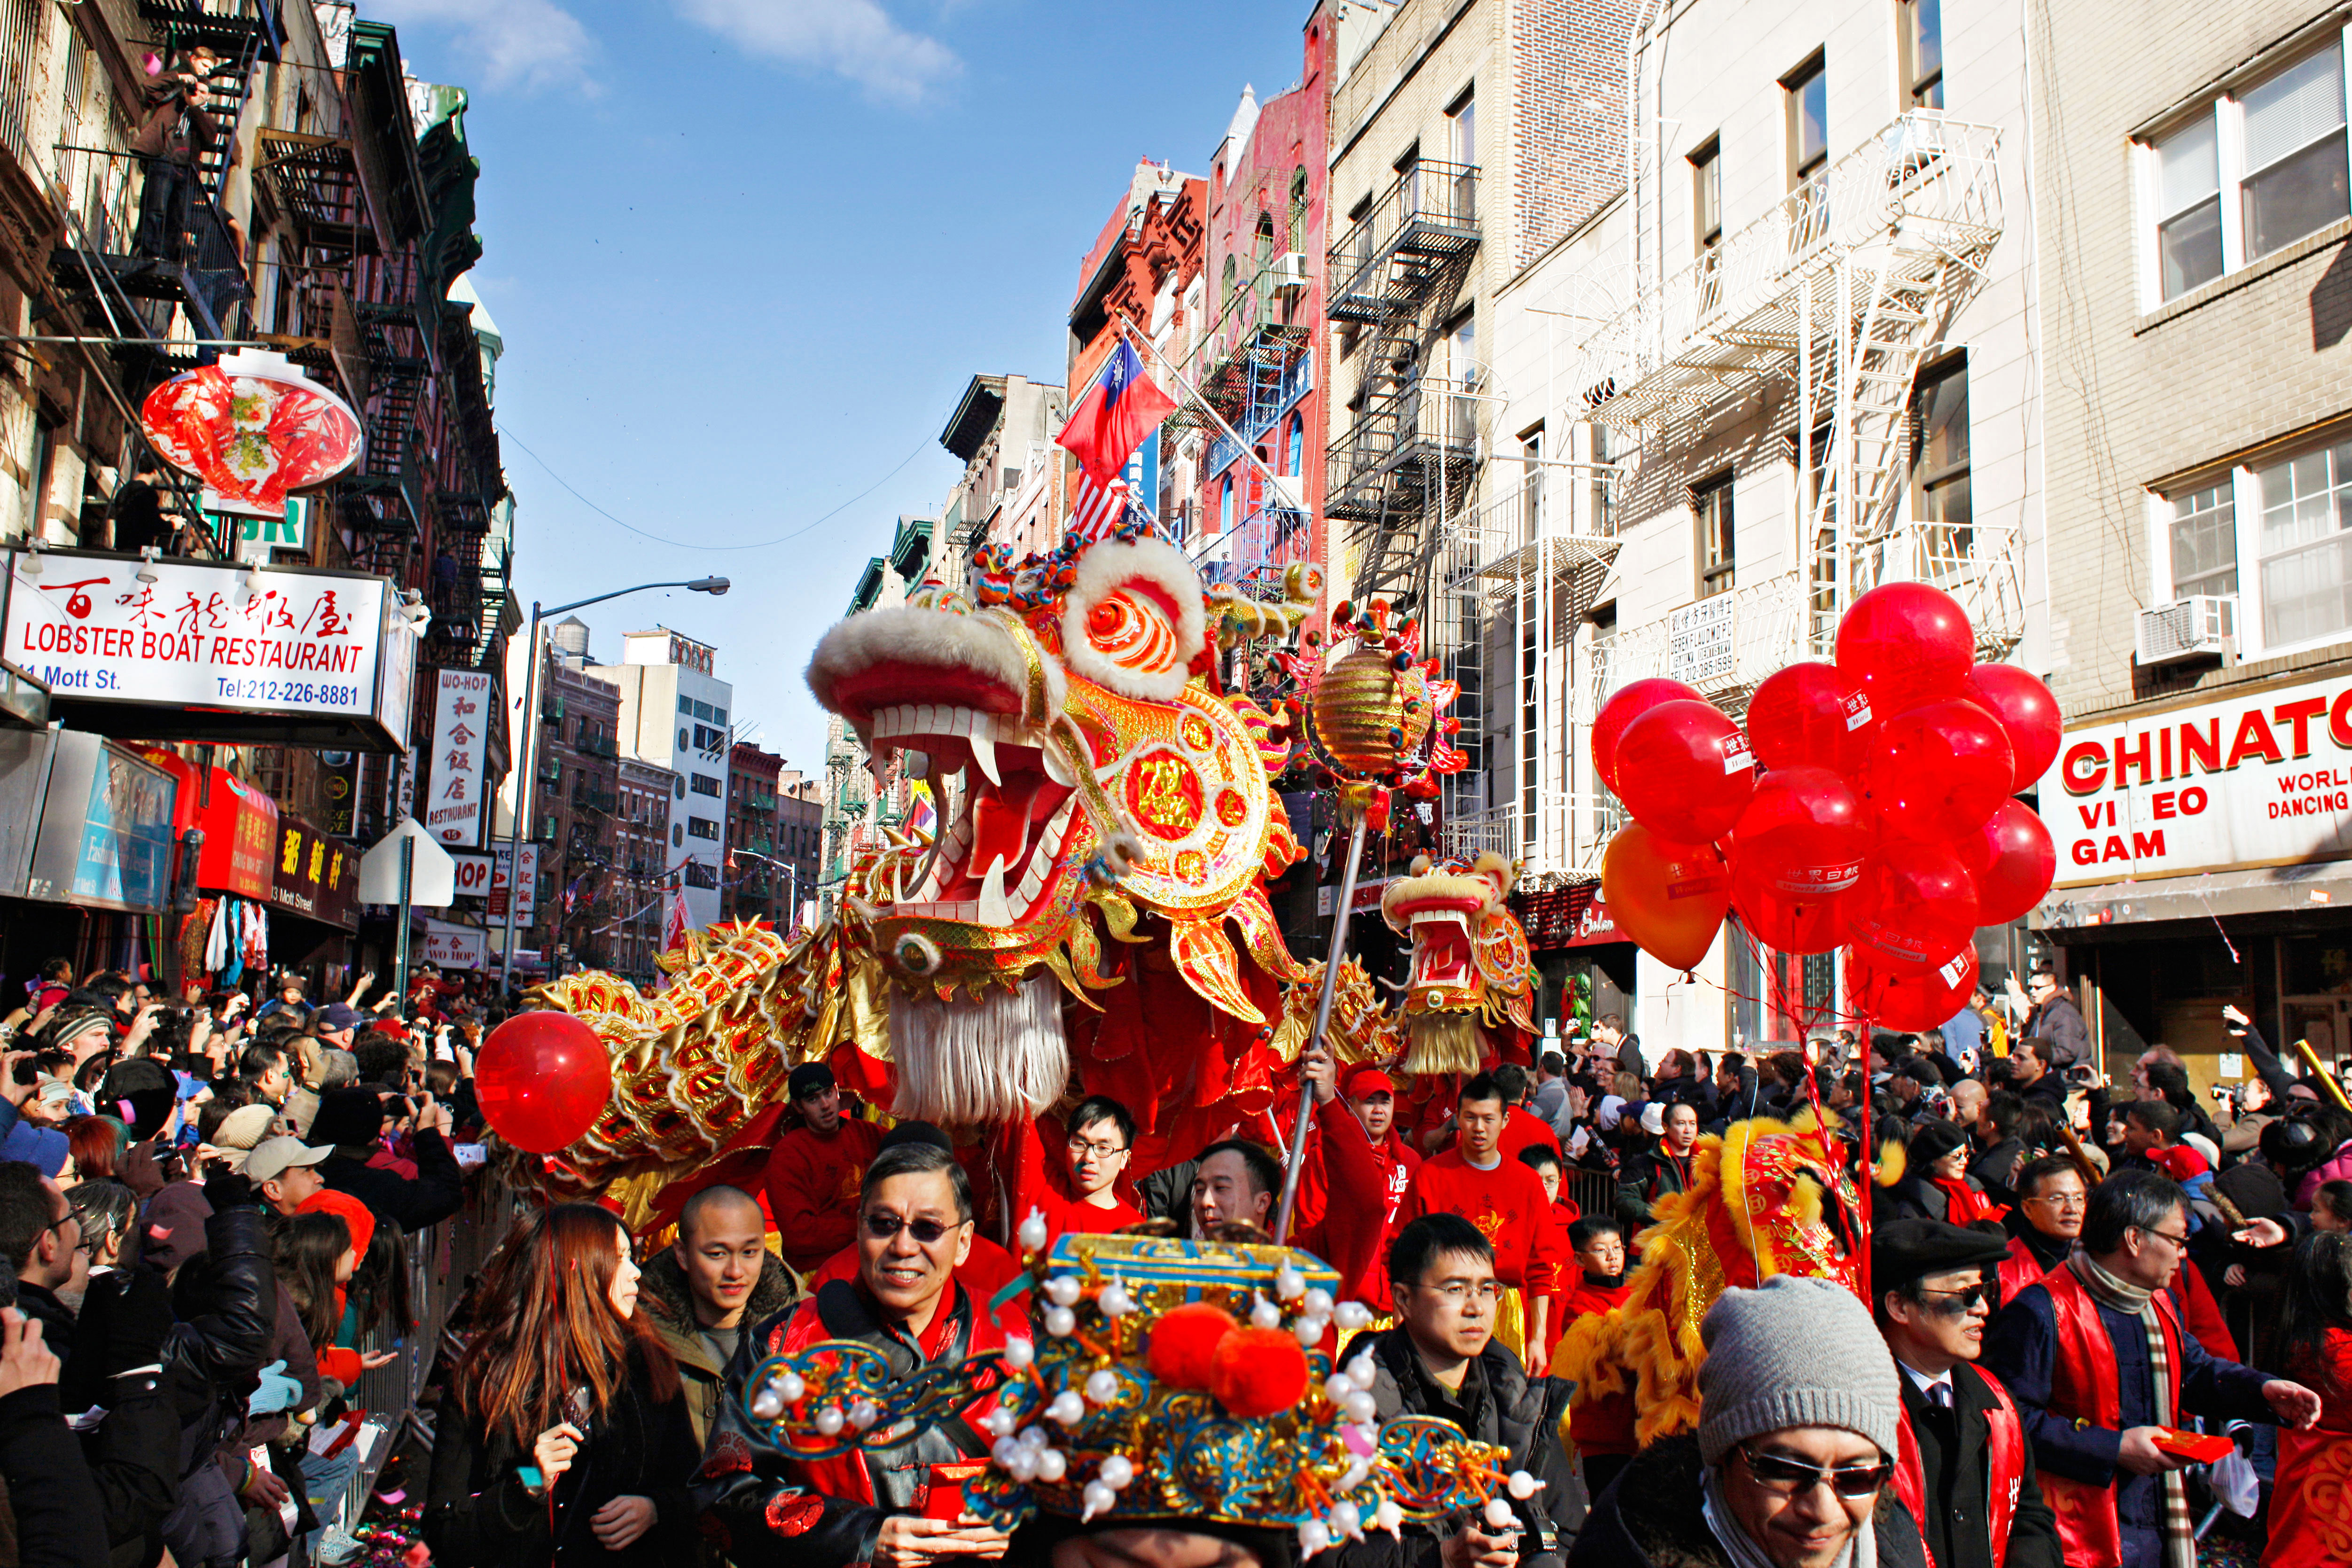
[[1838, 290]]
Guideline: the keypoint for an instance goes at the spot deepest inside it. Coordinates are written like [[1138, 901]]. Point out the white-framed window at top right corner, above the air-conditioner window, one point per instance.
[[2247, 175]]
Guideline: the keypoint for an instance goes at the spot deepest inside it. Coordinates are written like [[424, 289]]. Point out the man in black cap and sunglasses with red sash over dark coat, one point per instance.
[[1965, 1470]]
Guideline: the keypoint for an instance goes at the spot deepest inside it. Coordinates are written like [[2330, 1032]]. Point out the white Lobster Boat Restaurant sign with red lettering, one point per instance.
[[196, 636]]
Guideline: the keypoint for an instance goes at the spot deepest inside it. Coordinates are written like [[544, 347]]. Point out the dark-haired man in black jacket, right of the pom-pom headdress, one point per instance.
[[1441, 1360]]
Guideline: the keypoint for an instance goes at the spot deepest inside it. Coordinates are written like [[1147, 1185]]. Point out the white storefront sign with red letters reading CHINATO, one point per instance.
[[2236, 784]]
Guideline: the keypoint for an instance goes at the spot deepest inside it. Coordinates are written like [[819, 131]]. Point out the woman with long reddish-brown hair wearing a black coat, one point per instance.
[[566, 1430]]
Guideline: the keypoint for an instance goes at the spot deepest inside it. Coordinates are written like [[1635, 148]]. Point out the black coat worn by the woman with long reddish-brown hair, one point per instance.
[[479, 1515]]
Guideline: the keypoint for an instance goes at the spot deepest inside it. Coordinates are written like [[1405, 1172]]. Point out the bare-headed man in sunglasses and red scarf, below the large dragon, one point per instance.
[[881, 1503]]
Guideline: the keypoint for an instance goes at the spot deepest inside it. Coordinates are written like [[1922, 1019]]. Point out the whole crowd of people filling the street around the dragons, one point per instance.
[[2099, 1313]]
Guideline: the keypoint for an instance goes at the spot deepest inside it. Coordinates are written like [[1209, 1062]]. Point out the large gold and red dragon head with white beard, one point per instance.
[[1069, 723]]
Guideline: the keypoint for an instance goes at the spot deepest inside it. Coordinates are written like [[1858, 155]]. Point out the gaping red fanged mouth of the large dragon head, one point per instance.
[[1005, 805]]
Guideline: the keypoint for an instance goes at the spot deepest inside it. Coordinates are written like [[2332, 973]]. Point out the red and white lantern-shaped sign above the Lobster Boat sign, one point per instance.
[[255, 429]]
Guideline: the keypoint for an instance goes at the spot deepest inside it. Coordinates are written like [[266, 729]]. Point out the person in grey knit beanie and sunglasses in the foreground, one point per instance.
[[1798, 1430]]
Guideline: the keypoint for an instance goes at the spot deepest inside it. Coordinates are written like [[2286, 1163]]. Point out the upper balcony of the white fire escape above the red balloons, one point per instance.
[[1923, 187]]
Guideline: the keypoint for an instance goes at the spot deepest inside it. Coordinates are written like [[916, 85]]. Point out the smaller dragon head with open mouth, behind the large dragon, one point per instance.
[[1471, 963]]
